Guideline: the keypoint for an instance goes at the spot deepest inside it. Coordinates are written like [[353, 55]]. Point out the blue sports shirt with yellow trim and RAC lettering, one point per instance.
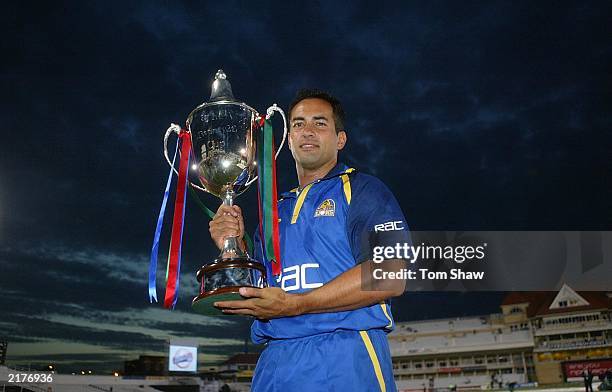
[[327, 228]]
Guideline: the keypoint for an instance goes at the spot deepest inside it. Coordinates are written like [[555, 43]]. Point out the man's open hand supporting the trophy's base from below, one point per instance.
[[266, 303]]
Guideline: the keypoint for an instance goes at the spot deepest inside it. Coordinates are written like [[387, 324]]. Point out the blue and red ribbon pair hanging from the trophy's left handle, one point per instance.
[[173, 268]]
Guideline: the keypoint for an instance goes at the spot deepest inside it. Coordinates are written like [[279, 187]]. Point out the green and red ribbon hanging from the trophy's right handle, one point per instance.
[[268, 197]]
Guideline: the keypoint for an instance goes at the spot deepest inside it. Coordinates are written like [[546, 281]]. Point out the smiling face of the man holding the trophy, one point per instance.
[[313, 140]]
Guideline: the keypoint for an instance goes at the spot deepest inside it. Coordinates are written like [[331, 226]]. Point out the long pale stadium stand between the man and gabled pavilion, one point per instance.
[[463, 352]]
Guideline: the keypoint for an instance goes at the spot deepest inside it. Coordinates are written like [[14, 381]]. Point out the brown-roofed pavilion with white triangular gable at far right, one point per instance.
[[572, 332]]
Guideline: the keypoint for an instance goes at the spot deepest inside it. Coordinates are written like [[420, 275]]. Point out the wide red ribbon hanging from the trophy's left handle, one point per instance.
[[177, 222]]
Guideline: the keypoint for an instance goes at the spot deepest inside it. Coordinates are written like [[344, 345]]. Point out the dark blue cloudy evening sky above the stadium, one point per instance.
[[487, 115]]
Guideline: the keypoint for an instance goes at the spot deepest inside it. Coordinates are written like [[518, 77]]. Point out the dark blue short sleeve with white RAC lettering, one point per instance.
[[374, 217]]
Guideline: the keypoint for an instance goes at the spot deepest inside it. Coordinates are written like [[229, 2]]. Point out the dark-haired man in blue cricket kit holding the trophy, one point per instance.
[[324, 329]]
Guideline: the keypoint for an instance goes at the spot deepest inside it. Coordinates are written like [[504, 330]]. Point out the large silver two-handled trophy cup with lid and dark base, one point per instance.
[[224, 150]]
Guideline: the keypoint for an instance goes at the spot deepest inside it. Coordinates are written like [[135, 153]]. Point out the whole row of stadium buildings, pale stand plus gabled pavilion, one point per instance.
[[538, 337]]
